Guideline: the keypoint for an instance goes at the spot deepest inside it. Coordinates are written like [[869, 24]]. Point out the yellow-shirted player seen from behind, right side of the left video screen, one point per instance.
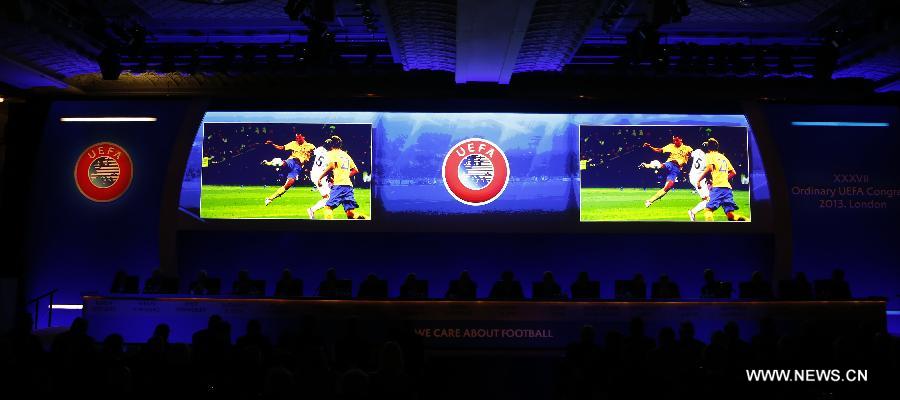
[[342, 168]]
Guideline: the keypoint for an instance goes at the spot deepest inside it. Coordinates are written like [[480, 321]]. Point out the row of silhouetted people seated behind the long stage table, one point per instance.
[[507, 287]]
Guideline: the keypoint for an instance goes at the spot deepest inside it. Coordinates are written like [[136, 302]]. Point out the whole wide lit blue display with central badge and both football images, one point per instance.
[[405, 166]]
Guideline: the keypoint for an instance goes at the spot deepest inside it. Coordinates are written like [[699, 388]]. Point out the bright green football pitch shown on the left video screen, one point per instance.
[[225, 202]]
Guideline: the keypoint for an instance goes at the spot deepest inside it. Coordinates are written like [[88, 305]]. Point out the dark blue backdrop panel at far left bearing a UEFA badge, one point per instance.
[[77, 244]]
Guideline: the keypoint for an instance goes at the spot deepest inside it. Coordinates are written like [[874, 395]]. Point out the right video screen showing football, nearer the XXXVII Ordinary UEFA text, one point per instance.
[[683, 173]]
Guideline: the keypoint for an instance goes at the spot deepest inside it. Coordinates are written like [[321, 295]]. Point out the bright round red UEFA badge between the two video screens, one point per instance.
[[475, 171]]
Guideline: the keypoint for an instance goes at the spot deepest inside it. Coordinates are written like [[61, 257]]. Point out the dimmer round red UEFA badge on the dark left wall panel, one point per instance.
[[103, 172]]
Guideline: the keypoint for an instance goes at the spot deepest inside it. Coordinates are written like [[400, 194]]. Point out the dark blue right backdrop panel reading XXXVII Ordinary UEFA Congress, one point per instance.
[[844, 193]]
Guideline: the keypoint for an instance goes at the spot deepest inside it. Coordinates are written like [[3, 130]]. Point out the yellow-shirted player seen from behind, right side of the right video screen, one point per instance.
[[720, 194]]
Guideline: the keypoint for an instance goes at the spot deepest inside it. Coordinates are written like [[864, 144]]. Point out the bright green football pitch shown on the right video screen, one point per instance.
[[613, 204]]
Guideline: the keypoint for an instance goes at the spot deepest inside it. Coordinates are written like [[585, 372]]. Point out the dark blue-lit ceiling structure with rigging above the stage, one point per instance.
[[190, 46]]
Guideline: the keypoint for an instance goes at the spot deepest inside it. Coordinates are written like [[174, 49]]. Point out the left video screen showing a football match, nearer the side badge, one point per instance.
[[319, 171]]
